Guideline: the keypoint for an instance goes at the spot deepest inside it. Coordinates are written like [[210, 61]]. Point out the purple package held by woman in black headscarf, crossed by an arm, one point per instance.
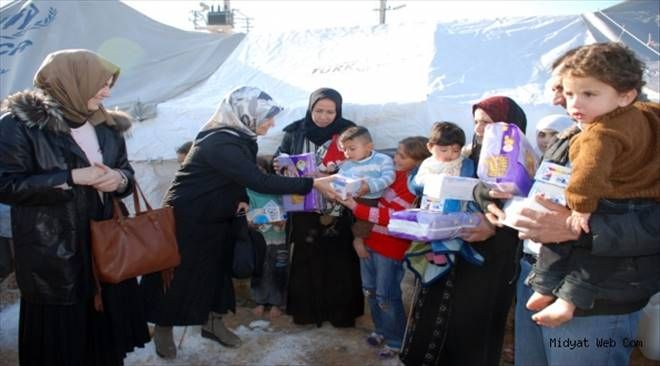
[[302, 165]]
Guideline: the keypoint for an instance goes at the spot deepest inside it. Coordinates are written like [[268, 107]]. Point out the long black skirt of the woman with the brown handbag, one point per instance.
[[78, 334]]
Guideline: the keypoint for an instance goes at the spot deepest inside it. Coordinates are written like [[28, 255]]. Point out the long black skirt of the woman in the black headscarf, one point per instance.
[[324, 282]]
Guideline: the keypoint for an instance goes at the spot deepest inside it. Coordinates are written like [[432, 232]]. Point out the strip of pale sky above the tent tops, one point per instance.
[[296, 14]]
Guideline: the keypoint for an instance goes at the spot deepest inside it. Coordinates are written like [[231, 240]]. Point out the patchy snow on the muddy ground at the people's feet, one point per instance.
[[265, 342]]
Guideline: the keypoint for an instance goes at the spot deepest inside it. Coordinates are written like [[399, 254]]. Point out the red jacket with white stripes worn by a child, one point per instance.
[[396, 198]]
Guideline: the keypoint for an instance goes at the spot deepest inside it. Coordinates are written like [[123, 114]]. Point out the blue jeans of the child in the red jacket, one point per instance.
[[381, 281]]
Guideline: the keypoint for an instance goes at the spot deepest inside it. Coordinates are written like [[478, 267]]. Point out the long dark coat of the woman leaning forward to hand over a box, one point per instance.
[[205, 195]]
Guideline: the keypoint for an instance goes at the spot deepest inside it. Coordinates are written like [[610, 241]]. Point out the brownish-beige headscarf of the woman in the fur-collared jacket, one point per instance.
[[73, 77]]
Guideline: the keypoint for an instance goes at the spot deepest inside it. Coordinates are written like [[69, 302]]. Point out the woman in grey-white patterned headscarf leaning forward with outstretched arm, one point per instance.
[[205, 195]]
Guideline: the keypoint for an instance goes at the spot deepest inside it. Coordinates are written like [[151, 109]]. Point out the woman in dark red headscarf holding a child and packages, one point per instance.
[[460, 320]]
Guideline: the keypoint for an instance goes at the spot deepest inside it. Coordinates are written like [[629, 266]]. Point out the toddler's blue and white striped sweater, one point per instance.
[[378, 168]]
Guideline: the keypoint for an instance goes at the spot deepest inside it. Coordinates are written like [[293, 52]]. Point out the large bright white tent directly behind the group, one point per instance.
[[395, 79]]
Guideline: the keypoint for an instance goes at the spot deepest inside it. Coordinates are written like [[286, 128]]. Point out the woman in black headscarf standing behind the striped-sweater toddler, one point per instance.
[[324, 282]]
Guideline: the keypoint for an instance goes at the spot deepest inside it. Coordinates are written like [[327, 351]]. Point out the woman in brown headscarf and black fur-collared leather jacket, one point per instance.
[[62, 159]]
